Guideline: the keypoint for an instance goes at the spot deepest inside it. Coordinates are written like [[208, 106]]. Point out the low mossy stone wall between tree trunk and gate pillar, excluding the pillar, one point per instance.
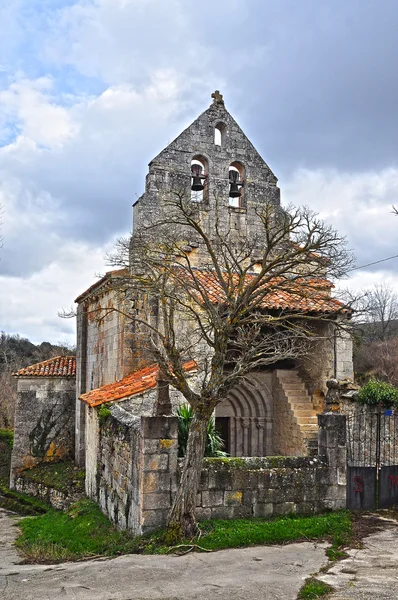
[[264, 487]]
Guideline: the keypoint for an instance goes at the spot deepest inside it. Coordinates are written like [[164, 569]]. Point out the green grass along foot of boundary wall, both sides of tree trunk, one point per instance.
[[83, 531]]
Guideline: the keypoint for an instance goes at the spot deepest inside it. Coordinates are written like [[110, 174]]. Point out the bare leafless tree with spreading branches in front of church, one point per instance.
[[228, 303]]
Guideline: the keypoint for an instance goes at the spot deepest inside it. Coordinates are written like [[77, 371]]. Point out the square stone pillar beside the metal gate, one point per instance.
[[332, 448]]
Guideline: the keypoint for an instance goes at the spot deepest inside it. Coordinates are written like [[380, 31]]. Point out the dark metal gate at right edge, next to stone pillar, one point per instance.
[[372, 458]]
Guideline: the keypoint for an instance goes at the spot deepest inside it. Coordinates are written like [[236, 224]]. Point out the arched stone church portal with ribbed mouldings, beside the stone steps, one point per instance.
[[248, 409]]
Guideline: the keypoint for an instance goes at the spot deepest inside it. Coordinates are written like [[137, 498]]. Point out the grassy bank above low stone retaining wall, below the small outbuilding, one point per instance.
[[61, 476]]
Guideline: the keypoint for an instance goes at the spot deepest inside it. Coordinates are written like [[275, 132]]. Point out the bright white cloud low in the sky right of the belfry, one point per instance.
[[359, 206]]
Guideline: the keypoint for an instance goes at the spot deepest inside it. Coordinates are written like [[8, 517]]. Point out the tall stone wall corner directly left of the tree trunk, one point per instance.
[[135, 471]]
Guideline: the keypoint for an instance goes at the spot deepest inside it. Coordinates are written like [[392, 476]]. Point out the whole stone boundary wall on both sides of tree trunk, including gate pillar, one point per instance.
[[137, 472]]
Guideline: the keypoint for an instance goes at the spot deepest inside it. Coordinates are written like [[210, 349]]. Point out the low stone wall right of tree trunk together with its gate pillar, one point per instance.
[[276, 485]]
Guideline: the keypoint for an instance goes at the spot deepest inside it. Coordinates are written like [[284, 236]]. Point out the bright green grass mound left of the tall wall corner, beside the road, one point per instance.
[[82, 532]]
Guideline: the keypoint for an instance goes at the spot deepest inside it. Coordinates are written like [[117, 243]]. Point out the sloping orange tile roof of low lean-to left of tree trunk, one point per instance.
[[136, 383]]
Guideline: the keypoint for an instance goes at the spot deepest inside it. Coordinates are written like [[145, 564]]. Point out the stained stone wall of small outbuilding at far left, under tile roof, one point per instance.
[[44, 422]]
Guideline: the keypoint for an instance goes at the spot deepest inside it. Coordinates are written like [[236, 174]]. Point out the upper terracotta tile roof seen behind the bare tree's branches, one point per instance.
[[302, 295]]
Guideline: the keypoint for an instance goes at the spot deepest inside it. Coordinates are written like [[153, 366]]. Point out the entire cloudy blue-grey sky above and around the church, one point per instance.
[[91, 90]]
